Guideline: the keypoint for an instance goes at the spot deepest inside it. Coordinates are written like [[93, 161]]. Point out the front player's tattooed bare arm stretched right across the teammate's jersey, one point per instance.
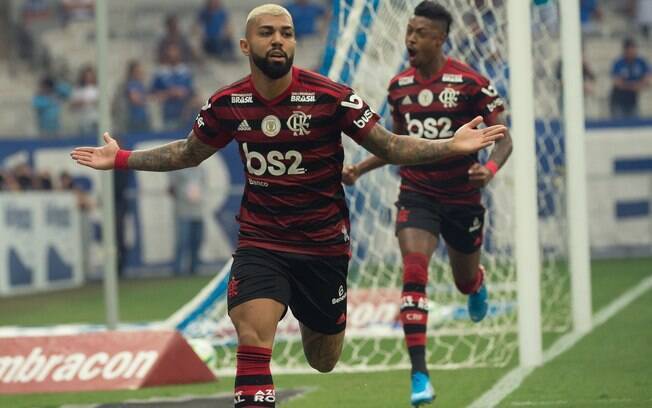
[[397, 149]]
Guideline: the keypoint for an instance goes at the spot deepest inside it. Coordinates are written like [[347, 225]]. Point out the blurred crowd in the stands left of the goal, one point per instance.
[[166, 58]]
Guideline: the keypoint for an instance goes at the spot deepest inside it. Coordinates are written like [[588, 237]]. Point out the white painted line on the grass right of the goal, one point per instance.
[[512, 380]]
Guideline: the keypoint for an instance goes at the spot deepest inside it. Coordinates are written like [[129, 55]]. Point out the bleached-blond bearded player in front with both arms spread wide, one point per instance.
[[293, 248]]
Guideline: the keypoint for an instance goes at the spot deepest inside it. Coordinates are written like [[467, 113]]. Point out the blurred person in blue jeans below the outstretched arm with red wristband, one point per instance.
[[187, 189]]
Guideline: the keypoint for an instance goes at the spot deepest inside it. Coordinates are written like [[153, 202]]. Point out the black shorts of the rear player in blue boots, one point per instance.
[[460, 225]]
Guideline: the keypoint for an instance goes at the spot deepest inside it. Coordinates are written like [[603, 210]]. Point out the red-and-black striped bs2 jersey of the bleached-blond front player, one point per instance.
[[291, 150]]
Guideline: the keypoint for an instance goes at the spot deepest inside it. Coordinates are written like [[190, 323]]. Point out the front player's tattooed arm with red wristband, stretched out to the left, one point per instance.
[[175, 155]]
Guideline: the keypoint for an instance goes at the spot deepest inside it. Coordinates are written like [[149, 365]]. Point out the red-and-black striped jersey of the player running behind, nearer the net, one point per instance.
[[434, 109]]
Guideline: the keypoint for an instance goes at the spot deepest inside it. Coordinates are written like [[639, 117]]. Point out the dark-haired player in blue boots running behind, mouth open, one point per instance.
[[431, 100]]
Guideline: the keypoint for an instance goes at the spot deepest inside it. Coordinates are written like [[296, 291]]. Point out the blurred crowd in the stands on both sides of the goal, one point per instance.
[[167, 57]]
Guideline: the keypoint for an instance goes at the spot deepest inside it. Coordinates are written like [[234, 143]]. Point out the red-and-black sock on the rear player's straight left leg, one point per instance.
[[414, 308]]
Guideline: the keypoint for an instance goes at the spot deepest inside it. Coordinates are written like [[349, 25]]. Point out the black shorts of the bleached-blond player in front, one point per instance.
[[314, 287]]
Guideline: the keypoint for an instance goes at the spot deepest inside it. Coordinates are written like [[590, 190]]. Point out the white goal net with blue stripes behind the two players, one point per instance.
[[366, 48]]
